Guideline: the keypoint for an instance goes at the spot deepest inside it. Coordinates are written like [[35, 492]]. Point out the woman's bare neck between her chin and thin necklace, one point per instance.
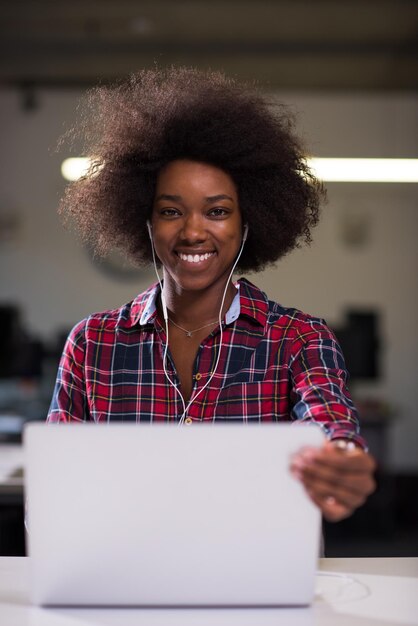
[[195, 308]]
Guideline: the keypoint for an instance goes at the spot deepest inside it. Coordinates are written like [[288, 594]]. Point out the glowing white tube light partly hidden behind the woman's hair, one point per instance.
[[331, 170]]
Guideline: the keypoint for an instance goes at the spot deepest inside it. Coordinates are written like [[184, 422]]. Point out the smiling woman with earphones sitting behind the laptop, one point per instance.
[[199, 174]]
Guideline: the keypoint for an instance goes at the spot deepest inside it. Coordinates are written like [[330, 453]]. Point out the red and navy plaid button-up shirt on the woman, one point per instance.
[[276, 364]]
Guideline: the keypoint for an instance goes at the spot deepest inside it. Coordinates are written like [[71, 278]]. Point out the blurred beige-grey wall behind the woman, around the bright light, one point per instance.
[[45, 270]]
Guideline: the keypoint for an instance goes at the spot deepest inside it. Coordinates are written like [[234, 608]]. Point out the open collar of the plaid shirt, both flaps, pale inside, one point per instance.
[[249, 301]]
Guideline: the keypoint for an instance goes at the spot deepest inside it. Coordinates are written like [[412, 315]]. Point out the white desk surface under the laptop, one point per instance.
[[350, 592]]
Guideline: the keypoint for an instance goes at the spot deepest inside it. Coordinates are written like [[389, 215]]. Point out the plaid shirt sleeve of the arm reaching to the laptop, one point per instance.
[[319, 378]]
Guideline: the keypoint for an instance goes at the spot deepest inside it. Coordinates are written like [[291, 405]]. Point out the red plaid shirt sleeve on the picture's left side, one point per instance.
[[69, 400]]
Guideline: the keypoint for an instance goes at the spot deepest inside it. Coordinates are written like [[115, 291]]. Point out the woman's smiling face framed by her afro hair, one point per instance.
[[196, 224]]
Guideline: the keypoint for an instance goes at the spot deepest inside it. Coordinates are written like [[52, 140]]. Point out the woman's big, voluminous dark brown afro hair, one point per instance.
[[134, 128]]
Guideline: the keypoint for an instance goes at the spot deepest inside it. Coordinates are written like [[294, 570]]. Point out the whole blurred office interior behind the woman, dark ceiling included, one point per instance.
[[349, 70]]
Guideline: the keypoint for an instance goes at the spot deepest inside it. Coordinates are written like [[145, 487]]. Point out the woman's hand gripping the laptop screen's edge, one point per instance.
[[338, 480]]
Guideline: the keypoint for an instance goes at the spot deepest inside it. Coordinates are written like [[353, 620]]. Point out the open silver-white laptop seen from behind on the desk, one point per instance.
[[152, 515]]
